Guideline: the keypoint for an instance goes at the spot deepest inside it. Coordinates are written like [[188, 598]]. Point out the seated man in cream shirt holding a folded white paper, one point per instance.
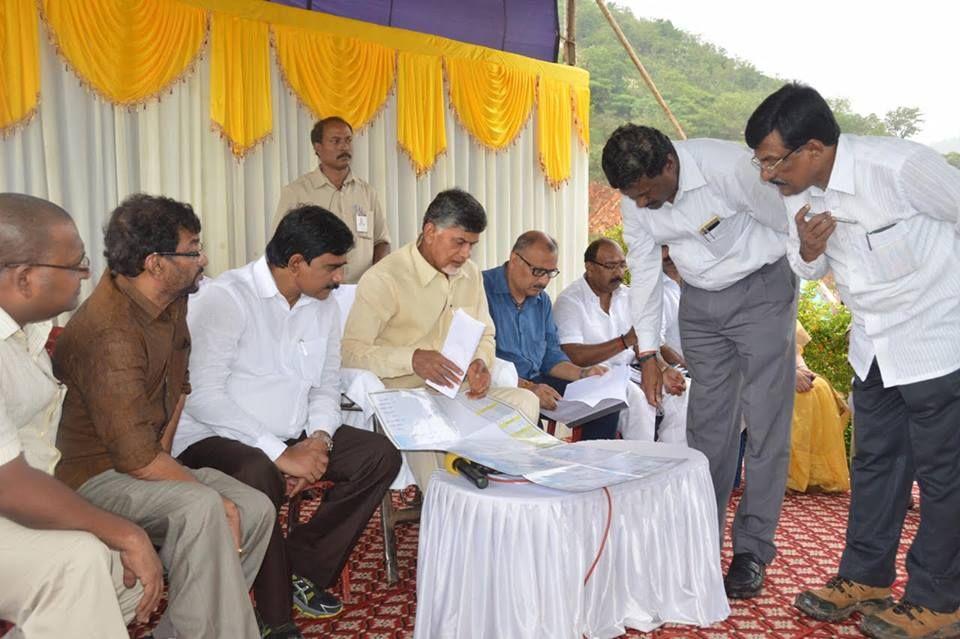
[[404, 306]]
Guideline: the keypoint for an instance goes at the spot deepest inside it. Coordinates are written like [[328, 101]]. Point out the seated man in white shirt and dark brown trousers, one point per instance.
[[265, 371]]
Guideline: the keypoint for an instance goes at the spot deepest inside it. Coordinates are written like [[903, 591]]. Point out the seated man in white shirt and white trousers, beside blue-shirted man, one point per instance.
[[593, 323]]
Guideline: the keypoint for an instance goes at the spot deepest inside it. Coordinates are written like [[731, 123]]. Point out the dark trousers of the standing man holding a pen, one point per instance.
[[906, 432]]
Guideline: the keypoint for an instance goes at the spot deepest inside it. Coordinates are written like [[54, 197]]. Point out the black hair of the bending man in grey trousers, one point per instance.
[[633, 152]]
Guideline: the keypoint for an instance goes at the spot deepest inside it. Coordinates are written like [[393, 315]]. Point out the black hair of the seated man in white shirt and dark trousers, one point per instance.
[[310, 231]]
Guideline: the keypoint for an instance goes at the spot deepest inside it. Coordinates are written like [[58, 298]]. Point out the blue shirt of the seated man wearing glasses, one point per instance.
[[526, 336]]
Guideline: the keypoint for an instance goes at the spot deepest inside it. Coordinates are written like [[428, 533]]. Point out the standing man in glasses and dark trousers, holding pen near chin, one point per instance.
[[883, 214]]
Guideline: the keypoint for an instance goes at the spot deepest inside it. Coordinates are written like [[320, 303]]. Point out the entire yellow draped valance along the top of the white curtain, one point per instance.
[[129, 51]]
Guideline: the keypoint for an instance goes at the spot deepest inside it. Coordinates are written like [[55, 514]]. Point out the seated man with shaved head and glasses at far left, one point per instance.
[[63, 561]]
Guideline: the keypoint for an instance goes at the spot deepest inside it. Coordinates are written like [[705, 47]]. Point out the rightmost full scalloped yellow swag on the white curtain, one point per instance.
[[492, 101]]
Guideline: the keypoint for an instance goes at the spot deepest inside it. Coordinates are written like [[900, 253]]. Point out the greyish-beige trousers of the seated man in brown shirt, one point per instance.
[[208, 581]]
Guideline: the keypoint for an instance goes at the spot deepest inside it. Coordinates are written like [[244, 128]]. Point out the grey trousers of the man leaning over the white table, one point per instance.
[[740, 348]]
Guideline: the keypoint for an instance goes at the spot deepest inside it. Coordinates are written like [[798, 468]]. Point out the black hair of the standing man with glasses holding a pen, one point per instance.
[[798, 113]]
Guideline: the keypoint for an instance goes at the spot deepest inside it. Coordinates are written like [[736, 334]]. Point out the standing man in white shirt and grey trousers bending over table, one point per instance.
[[726, 234]]
